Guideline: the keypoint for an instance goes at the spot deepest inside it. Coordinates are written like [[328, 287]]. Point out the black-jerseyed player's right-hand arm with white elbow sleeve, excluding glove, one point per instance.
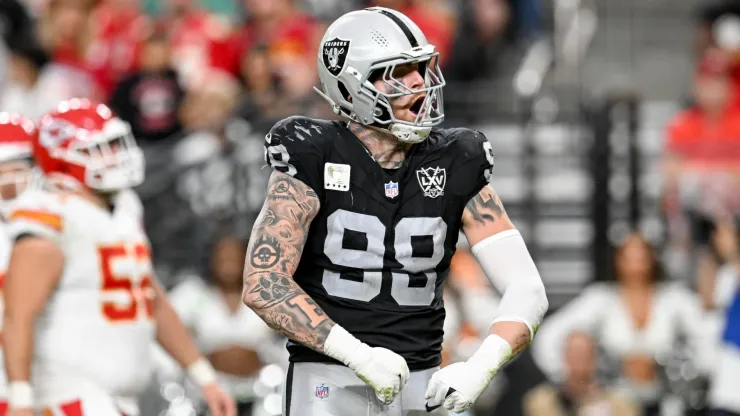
[[507, 263]]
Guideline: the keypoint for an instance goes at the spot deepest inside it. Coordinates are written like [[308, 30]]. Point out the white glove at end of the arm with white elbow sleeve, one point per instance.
[[468, 379]]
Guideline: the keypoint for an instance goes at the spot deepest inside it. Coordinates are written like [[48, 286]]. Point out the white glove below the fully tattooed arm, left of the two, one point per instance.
[[382, 369]]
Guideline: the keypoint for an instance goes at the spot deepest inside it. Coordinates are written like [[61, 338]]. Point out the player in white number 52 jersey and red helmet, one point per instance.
[[81, 302]]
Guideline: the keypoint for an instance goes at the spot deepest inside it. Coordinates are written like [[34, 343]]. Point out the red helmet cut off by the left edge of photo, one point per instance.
[[17, 134]]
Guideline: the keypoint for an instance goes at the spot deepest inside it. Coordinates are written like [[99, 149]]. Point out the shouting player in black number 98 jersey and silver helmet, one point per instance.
[[350, 253]]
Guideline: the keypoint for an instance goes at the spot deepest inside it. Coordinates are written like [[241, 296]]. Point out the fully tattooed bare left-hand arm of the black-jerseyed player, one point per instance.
[[275, 248]]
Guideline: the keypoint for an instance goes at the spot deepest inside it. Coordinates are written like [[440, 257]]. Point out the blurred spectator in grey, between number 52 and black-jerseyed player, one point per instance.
[[199, 180]]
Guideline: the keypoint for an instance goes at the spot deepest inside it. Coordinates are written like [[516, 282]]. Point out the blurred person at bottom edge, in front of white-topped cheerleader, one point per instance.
[[580, 392]]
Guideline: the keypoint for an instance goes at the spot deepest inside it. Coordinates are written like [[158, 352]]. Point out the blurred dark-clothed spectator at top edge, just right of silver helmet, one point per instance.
[[480, 30]]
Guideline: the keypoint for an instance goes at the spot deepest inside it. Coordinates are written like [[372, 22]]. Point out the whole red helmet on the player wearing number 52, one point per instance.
[[83, 142]]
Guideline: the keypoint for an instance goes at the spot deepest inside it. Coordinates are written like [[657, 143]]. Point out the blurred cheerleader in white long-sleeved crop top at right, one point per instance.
[[638, 321]]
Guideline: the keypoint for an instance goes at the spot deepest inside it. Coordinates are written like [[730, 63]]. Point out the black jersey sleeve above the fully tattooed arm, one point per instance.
[[292, 147]]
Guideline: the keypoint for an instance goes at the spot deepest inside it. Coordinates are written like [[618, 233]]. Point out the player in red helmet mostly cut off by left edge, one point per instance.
[[16, 161]]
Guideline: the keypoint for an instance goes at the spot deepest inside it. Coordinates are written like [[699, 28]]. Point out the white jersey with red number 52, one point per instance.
[[97, 328]]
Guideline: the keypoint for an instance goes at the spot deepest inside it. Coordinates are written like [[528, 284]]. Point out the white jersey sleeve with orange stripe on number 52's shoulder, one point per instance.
[[39, 213]]
